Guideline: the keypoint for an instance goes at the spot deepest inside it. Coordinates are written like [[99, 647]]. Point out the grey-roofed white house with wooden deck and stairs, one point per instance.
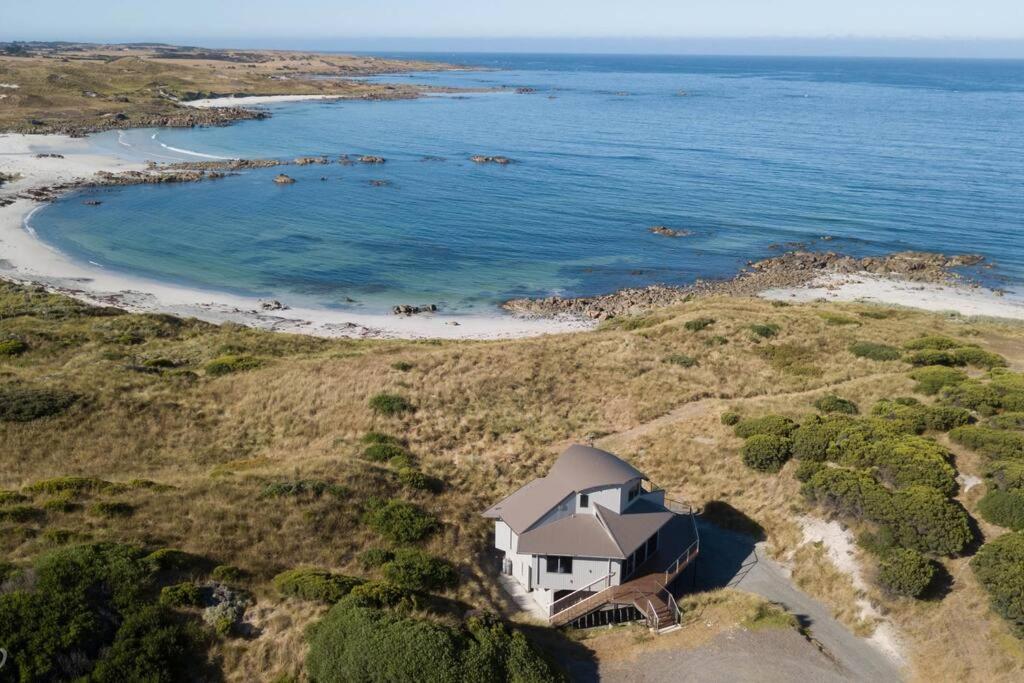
[[594, 536]]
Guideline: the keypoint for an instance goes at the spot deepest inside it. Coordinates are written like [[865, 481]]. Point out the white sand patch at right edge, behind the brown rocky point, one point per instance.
[[869, 288]]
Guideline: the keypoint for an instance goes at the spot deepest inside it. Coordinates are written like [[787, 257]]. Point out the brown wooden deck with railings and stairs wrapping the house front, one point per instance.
[[650, 586]]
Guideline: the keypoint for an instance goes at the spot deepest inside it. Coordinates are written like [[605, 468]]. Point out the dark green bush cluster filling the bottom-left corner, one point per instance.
[[92, 614]]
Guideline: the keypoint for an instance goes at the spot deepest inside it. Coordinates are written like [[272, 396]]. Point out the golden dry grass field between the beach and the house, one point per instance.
[[489, 417]]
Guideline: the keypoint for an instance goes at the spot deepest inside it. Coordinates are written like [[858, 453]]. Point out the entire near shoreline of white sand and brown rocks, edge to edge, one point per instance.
[[26, 260]]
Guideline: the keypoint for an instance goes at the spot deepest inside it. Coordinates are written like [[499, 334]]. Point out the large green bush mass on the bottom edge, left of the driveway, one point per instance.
[[355, 643]]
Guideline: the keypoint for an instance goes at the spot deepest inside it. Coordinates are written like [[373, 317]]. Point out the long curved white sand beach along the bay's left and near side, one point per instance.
[[25, 259]]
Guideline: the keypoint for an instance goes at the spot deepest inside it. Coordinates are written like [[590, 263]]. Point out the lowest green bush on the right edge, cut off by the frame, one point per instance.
[[999, 567]]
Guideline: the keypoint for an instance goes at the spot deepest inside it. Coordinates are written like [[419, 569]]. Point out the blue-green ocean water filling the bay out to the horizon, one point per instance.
[[751, 155]]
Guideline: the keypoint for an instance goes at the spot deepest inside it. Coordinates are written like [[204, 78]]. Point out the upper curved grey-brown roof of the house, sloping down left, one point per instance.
[[579, 468]]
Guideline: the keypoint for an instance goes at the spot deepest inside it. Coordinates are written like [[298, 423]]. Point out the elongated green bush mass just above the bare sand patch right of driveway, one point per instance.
[[917, 518]]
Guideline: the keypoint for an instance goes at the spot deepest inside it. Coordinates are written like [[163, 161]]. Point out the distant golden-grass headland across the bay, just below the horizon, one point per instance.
[[82, 88]]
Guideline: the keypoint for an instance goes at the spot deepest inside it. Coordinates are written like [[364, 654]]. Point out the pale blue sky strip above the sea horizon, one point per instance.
[[455, 24]]
